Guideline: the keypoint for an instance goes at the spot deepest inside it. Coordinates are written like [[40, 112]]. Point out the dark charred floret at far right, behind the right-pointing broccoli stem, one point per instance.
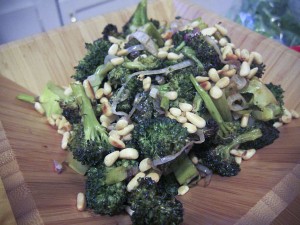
[[269, 135]]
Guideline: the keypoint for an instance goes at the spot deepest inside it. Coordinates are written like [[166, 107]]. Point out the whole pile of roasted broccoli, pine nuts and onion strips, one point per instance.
[[157, 107]]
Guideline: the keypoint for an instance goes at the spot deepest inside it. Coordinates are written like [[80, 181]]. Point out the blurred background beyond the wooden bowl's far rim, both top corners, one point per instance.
[[278, 19]]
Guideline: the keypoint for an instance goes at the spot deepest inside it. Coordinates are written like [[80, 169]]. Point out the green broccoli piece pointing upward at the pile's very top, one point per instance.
[[138, 19]]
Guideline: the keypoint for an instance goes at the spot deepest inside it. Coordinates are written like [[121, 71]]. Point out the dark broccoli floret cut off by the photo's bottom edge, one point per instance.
[[150, 206]]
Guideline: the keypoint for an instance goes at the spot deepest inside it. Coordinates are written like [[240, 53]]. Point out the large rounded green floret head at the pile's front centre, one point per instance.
[[159, 137]]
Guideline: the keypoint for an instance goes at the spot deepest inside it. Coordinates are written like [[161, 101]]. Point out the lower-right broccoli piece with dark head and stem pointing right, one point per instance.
[[218, 158]]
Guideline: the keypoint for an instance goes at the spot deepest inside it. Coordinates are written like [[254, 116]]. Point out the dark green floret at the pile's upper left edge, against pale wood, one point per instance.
[[94, 58]]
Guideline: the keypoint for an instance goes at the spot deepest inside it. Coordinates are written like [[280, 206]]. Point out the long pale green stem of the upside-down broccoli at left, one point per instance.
[[92, 128]]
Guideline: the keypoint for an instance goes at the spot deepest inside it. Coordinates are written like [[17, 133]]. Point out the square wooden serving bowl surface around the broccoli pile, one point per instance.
[[266, 185]]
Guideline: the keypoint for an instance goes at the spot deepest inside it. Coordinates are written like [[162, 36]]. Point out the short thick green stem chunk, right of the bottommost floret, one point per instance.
[[184, 170]]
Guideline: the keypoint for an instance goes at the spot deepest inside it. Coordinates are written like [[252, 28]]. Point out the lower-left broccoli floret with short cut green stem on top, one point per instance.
[[106, 187]]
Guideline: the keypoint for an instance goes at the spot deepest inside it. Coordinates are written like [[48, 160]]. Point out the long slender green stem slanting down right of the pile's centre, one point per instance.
[[212, 109]]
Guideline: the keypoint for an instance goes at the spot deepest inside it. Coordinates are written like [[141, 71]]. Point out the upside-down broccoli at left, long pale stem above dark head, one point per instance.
[[89, 140]]
